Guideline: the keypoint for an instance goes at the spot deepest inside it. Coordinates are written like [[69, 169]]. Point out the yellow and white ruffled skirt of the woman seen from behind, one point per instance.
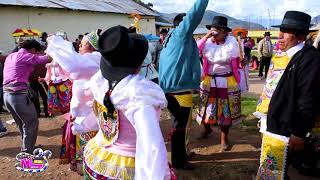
[[101, 164]]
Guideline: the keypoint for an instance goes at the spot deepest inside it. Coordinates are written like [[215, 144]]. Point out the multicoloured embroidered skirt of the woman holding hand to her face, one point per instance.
[[220, 100]]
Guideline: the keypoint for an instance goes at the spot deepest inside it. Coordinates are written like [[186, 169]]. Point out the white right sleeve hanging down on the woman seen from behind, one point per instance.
[[151, 154]]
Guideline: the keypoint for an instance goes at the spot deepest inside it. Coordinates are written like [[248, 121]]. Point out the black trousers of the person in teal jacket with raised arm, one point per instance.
[[178, 145]]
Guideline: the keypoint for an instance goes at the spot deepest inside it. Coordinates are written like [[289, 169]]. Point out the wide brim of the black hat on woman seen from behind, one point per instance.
[[139, 50]]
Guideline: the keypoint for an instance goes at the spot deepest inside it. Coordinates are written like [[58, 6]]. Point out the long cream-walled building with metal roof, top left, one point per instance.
[[72, 16]]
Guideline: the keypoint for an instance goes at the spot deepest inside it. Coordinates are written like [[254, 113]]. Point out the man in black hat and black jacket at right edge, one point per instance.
[[294, 105]]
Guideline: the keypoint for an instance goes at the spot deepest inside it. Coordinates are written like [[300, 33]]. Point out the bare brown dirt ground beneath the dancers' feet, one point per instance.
[[240, 163]]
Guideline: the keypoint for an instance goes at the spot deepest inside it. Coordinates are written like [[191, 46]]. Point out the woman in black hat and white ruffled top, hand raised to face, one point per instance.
[[219, 91]]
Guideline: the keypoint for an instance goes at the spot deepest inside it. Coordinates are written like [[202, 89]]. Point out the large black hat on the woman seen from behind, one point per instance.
[[122, 52]]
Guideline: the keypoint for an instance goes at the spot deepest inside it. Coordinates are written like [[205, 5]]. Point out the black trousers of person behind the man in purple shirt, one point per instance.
[[38, 90]]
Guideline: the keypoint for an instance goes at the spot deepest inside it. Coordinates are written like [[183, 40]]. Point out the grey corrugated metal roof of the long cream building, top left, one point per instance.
[[112, 6]]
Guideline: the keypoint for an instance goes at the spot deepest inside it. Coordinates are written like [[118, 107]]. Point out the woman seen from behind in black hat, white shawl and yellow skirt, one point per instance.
[[129, 144]]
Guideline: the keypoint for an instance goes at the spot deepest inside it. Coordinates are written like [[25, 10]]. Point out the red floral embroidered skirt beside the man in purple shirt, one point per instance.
[[59, 97]]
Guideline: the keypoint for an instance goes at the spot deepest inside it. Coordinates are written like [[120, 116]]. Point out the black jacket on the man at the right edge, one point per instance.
[[296, 100]]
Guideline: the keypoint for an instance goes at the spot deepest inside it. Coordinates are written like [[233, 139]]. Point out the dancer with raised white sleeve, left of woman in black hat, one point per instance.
[[79, 68]]
